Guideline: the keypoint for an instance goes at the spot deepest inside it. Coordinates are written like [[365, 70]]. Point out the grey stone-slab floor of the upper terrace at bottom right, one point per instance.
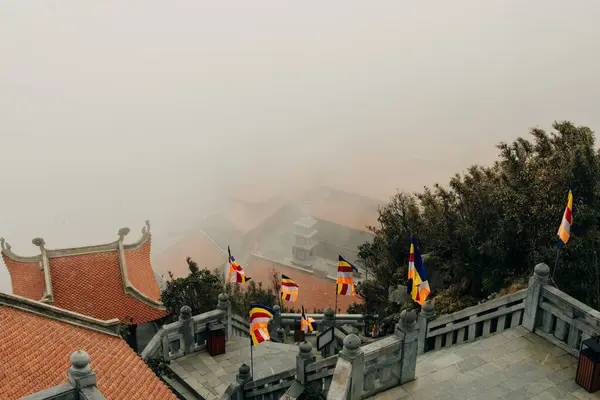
[[515, 364]]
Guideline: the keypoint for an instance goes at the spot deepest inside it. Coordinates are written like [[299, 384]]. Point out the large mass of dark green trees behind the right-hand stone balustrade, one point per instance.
[[489, 227]]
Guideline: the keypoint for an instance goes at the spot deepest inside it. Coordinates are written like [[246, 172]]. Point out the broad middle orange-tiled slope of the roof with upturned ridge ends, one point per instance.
[[91, 284]]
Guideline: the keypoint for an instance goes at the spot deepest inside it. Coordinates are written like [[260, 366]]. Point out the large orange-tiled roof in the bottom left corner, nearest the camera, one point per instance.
[[37, 340]]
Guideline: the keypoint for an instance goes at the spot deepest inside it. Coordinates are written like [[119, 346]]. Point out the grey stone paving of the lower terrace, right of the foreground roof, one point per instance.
[[210, 376]]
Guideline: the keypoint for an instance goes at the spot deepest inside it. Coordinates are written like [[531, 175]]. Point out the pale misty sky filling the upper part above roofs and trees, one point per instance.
[[115, 112]]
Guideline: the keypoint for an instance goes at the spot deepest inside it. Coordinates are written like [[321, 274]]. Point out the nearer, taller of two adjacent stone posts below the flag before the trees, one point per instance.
[[407, 331]]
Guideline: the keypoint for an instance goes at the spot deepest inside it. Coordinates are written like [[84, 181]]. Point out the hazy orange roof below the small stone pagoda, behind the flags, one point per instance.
[[315, 292]]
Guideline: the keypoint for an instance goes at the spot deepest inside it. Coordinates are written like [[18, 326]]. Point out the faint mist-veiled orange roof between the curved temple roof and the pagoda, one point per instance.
[[195, 245]]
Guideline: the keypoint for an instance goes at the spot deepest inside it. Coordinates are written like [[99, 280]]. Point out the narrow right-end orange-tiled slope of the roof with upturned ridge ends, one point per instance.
[[139, 271]]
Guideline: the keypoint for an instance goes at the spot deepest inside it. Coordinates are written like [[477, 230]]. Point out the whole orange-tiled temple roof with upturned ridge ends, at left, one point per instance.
[[113, 280]]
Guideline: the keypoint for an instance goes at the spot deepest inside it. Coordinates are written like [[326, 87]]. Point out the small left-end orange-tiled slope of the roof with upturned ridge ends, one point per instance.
[[27, 278]]
